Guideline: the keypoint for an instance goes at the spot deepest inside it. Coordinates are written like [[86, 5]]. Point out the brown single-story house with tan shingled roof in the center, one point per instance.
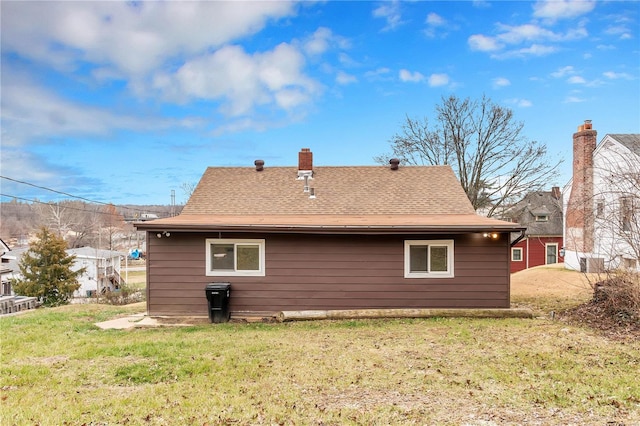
[[325, 238]]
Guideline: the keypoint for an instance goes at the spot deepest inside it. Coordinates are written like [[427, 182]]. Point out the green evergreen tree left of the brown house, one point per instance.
[[46, 270]]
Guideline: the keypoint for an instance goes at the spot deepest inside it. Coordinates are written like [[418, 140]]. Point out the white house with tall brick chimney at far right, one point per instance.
[[602, 202]]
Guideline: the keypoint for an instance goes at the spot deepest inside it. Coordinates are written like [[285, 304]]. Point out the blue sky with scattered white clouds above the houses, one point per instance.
[[124, 102]]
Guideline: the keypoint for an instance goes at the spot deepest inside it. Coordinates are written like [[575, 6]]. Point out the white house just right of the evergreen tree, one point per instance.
[[102, 273]]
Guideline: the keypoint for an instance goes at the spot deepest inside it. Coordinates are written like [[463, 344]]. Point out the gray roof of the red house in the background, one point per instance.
[[534, 204]]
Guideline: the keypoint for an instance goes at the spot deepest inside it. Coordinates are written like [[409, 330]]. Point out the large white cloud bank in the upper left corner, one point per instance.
[[130, 38]]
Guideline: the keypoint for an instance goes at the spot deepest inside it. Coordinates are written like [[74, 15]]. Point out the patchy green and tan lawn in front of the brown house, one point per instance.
[[59, 368]]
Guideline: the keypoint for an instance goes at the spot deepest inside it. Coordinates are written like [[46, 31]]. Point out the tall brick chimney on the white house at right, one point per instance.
[[579, 219]]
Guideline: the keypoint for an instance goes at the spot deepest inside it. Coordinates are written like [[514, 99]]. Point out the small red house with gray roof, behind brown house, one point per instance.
[[541, 213]]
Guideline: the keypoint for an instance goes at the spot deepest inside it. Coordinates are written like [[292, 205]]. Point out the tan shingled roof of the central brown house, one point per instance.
[[358, 197]]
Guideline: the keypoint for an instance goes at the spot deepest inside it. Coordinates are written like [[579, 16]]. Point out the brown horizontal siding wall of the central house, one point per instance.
[[327, 272]]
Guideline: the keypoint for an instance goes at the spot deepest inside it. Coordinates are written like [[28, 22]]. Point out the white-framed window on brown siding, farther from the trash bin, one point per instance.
[[428, 259]]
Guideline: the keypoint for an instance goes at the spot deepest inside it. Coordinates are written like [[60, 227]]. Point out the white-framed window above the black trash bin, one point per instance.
[[226, 257]]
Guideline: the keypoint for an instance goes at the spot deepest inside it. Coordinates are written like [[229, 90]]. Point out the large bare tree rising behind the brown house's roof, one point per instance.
[[484, 145]]
